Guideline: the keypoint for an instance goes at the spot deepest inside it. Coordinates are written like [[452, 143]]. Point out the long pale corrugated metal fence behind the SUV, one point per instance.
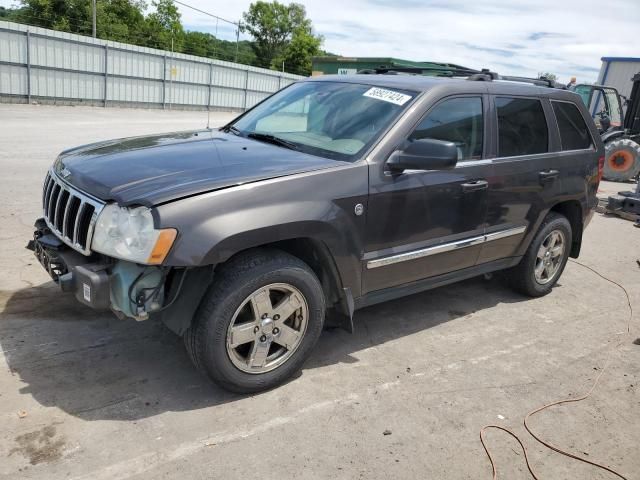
[[41, 64]]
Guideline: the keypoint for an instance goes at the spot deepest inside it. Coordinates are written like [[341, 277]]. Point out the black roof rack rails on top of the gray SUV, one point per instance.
[[485, 75]]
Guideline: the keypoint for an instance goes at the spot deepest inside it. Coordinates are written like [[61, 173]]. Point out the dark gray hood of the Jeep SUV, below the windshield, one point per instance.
[[157, 169]]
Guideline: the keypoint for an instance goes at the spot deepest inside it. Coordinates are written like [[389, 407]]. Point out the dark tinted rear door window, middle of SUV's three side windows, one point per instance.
[[522, 127]]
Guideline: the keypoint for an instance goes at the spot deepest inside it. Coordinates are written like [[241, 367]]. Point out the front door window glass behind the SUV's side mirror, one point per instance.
[[458, 120]]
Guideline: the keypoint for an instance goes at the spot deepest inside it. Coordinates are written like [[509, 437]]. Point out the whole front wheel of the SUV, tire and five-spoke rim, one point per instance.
[[274, 349]]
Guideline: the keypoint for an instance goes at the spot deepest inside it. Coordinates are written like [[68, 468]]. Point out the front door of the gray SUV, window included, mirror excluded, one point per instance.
[[424, 223]]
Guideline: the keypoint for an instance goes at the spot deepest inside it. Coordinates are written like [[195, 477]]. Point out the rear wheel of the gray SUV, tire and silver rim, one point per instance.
[[523, 277]]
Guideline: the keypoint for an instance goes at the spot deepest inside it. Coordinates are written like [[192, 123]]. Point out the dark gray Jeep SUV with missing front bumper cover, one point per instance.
[[333, 194]]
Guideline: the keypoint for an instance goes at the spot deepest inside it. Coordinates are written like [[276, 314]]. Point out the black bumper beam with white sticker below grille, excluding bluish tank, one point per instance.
[[86, 277]]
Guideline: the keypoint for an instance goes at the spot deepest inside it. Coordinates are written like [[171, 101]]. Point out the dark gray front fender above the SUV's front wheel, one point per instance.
[[319, 205]]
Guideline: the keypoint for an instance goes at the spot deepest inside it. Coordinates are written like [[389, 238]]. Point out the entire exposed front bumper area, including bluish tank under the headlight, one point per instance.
[[101, 282]]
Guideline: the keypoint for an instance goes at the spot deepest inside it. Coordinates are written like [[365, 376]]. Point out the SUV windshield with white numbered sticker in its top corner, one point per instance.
[[329, 119]]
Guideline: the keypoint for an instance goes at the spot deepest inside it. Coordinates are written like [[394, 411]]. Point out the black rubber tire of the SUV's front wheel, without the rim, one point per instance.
[[215, 358]]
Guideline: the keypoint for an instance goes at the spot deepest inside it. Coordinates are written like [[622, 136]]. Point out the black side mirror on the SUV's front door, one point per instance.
[[424, 154]]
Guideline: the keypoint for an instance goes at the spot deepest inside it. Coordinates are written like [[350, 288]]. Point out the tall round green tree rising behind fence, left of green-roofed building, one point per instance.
[[274, 26]]
